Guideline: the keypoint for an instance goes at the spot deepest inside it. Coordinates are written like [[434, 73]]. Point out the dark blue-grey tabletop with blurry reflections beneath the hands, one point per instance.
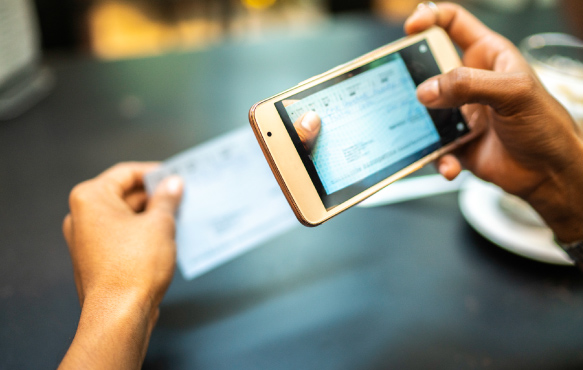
[[409, 285]]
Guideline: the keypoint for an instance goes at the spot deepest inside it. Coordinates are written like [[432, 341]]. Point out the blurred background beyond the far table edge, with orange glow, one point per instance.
[[31, 30]]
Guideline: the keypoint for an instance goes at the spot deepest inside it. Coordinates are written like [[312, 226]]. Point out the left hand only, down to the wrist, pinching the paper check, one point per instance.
[[121, 242]]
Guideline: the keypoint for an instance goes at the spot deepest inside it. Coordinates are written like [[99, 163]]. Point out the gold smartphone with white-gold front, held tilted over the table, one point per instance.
[[372, 128]]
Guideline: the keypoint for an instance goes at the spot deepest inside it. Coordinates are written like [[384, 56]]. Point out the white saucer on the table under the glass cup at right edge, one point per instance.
[[479, 202]]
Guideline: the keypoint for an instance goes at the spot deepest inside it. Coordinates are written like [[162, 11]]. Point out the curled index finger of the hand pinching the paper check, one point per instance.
[[126, 176]]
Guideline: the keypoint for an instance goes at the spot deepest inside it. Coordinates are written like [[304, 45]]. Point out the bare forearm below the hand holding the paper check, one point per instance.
[[113, 333]]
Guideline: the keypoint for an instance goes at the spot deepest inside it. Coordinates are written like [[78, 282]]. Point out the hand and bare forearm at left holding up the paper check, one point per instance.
[[123, 252]]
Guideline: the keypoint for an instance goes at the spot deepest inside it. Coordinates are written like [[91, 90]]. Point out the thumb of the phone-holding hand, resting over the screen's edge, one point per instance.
[[507, 93]]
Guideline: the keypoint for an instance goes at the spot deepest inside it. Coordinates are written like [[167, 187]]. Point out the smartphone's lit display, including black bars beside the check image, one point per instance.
[[372, 124]]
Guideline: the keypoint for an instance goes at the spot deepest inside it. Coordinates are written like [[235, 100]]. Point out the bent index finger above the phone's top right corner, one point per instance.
[[461, 26]]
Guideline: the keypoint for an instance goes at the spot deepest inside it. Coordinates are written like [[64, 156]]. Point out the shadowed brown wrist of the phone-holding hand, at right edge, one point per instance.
[[559, 199]]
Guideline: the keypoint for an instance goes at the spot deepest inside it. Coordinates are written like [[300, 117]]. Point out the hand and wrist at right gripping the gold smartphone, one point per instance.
[[530, 146]]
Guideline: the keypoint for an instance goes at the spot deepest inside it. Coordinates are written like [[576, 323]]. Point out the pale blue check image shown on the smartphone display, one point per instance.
[[369, 122]]
